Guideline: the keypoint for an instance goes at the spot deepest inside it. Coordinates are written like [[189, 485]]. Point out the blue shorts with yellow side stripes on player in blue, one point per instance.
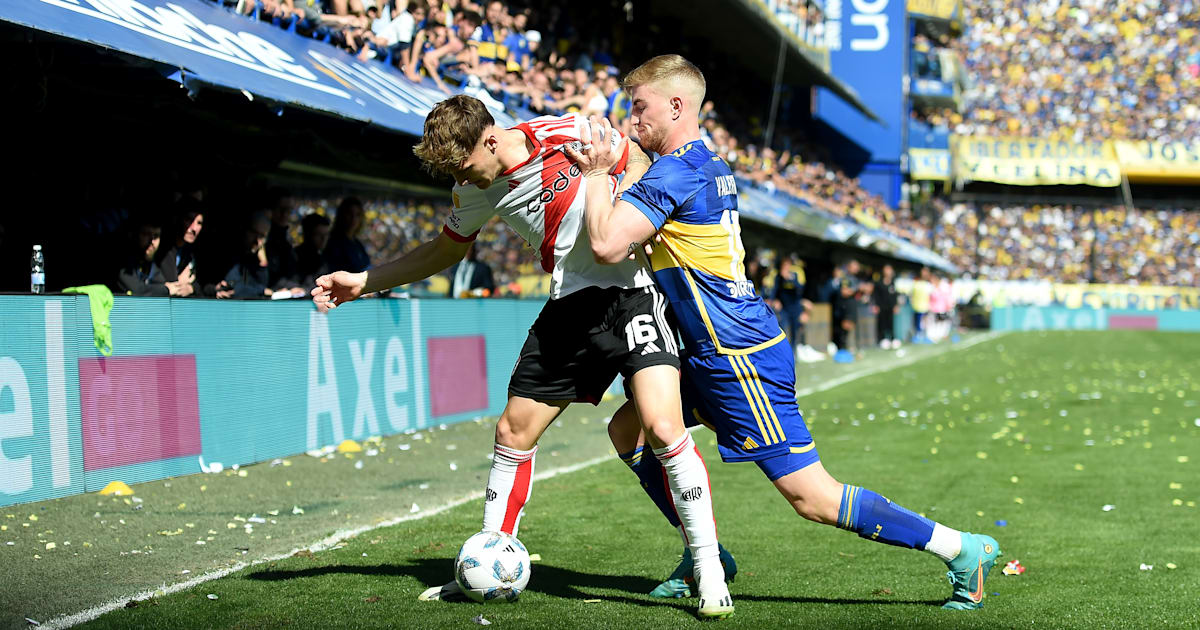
[[751, 403]]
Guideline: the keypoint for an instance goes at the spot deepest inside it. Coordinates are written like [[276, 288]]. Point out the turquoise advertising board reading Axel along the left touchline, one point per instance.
[[194, 381]]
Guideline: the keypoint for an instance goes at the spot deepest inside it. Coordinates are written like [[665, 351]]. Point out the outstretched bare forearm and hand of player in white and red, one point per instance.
[[429, 259]]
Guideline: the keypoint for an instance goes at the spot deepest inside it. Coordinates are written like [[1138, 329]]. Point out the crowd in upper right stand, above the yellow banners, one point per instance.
[[1084, 69]]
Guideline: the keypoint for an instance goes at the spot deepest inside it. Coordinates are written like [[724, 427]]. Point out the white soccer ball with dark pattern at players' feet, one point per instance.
[[493, 567]]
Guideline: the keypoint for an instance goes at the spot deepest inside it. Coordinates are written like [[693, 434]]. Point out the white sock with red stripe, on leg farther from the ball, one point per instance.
[[692, 495]]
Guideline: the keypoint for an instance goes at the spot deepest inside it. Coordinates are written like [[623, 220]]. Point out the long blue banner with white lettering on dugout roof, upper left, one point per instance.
[[215, 47]]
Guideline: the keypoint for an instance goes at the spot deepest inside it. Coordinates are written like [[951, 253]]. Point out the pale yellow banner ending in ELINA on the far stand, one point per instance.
[[1031, 163]]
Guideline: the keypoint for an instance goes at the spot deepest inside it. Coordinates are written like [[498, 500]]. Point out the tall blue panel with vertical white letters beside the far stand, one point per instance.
[[868, 41]]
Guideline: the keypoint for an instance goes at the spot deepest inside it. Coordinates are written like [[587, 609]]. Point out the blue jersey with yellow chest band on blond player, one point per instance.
[[693, 201]]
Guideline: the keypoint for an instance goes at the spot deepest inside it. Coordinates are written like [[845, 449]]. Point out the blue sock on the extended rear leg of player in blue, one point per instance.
[[875, 518]]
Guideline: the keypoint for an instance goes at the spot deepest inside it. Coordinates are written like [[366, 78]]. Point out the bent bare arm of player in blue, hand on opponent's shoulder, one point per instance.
[[616, 230]]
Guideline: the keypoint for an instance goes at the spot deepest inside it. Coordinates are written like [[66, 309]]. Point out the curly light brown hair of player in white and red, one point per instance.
[[452, 131]]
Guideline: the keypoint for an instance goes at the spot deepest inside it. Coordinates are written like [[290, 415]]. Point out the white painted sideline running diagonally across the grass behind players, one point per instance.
[[68, 621]]
